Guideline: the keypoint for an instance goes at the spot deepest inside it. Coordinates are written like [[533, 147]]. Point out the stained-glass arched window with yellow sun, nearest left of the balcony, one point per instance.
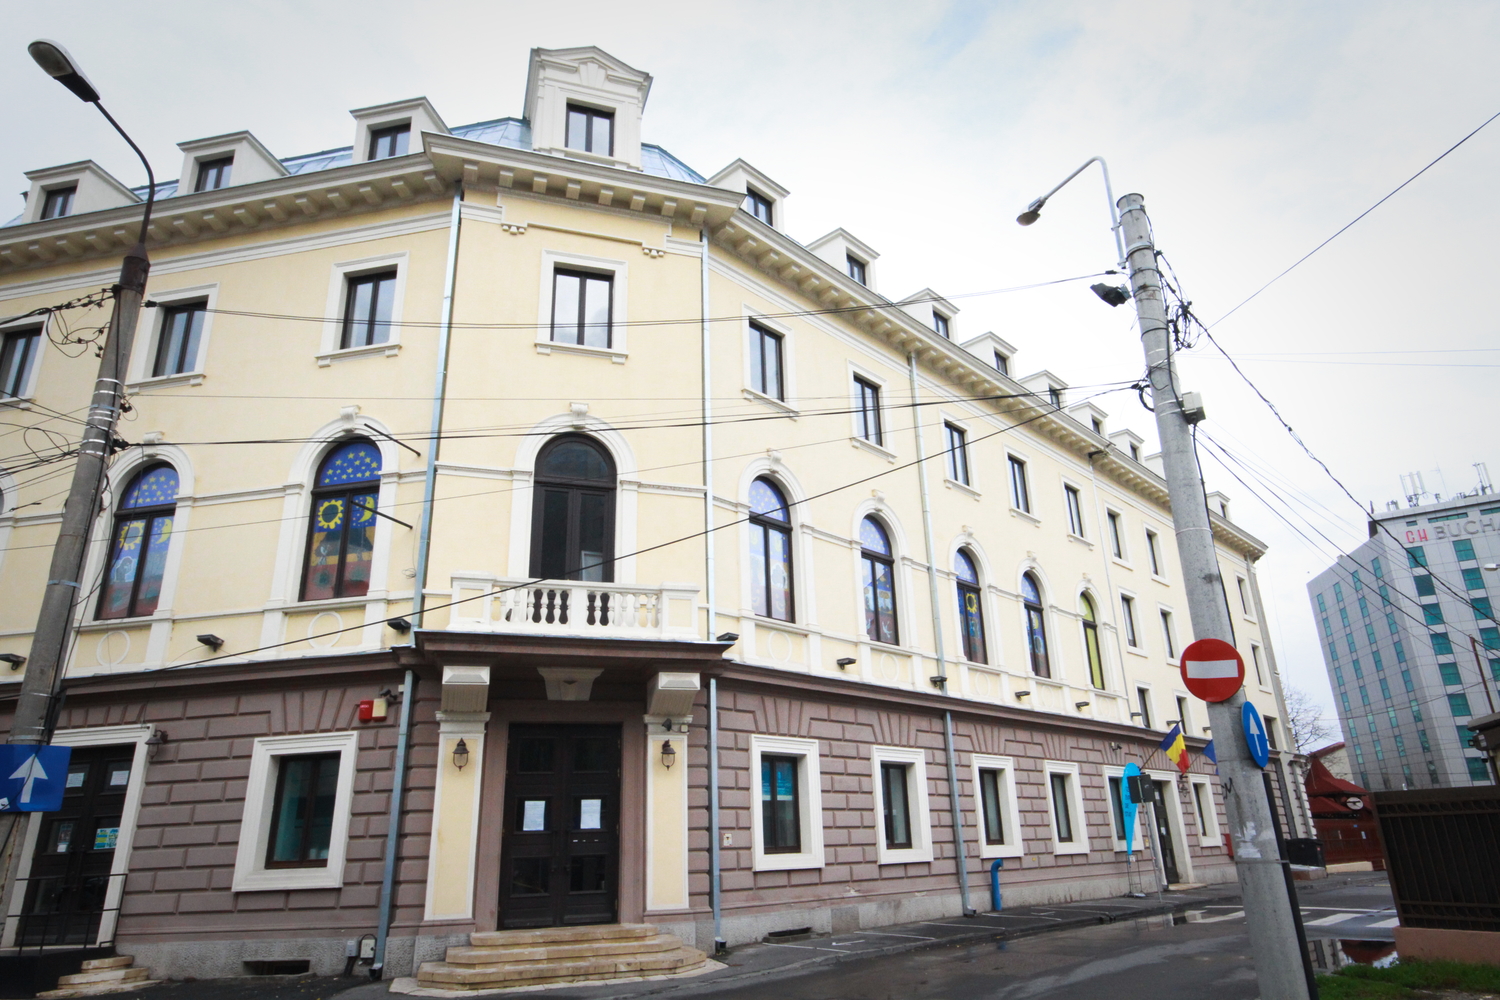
[[341, 530]]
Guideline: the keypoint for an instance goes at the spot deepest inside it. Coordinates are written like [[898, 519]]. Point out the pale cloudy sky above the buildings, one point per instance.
[[1255, 133]]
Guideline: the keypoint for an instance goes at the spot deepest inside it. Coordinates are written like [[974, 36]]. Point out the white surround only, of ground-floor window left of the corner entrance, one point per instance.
[[251, 873]]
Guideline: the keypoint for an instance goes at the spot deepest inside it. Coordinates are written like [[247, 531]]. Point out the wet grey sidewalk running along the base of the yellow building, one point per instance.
[[767, 963]]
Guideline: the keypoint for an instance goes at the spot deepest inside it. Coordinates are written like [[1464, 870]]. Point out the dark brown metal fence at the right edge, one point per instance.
[[1444, 857]]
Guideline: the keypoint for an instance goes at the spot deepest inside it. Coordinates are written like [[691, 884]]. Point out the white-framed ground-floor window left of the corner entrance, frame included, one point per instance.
[[296, 824]]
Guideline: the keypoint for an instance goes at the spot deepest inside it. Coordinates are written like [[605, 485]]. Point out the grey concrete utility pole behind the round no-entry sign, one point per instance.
[[1268, 911]]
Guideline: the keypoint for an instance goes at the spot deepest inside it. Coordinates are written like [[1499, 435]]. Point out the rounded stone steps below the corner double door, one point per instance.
[[551, 956]]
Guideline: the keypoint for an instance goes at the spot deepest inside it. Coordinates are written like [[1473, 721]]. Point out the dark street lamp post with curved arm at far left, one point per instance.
[[35, 711]]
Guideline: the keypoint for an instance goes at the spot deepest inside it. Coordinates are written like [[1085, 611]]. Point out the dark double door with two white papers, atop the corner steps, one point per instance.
[[560, 851]]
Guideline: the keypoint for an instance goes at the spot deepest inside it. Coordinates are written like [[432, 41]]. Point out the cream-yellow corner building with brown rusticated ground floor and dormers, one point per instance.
[[574, 455]]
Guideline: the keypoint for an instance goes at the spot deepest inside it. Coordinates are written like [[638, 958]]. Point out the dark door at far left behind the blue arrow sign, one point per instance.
[[65, 894]]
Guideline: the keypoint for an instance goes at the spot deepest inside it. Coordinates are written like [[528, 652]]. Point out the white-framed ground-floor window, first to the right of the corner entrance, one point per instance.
[[788, 810]]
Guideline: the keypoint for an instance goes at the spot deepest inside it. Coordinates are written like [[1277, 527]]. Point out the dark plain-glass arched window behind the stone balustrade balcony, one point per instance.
[[574, 512]]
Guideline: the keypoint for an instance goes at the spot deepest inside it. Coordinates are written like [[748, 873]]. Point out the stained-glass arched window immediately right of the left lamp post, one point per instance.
[[143, 527]]
